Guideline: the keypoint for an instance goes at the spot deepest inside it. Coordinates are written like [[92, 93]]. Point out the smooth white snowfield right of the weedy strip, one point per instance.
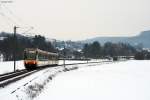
[[117, 81]]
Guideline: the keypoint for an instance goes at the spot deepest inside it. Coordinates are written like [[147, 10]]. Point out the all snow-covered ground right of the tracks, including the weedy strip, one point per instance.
[[127, 80]]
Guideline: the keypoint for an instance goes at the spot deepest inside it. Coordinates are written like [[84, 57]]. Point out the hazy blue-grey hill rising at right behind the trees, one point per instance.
[[143, 39]]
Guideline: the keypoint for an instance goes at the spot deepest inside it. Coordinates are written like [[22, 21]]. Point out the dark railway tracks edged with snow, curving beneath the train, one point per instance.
[[8, 78]]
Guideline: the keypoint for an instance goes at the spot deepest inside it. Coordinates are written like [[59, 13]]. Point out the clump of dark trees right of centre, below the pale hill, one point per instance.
[[95, 50]]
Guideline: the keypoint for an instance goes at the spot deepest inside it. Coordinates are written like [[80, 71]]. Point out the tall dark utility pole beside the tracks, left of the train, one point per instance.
[[15, 47]]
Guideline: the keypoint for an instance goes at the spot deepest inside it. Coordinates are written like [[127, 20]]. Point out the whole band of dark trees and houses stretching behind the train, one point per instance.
[[73, 50]]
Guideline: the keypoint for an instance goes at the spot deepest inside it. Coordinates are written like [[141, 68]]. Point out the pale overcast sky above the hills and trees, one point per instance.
[[77, 19]]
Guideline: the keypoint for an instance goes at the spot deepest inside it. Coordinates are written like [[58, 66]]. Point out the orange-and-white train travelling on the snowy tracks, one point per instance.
[[34, 58]]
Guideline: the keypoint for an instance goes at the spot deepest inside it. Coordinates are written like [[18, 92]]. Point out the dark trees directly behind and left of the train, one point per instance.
[[7, 45]]
